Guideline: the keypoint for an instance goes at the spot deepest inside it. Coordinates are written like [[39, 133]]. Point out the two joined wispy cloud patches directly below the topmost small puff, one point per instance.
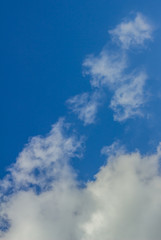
[[127, 88]]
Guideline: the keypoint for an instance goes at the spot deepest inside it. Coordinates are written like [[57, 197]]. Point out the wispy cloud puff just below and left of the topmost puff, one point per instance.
[[106, 69]]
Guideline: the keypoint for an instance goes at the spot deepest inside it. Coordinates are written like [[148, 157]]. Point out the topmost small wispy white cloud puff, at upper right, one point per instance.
[[132, 32]]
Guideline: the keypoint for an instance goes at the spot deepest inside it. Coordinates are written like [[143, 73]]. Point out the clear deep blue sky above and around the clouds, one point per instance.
[[43, 45]]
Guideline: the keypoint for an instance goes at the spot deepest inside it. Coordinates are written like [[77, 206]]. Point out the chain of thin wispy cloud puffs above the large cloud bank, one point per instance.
[[110, 70]]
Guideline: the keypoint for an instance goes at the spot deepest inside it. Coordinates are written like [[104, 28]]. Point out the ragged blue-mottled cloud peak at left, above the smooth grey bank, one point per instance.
[[42, 159]]
